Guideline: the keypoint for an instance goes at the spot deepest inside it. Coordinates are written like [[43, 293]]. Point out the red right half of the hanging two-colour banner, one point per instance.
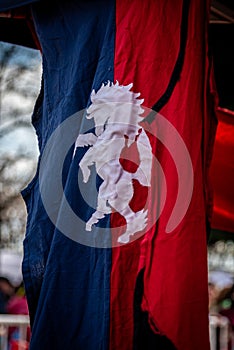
[[175, 280]]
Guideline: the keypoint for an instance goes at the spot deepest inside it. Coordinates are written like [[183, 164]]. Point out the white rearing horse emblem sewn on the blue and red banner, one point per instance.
[[116, 113]]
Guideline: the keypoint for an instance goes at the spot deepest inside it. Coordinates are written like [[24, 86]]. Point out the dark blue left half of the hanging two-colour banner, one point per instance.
[[67, 283]]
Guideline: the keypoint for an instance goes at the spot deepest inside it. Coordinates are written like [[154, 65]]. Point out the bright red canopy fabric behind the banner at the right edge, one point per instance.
[[222, 172]]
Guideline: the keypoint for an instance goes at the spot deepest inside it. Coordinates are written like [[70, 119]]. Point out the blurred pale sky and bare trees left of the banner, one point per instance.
[[20, 75]]
